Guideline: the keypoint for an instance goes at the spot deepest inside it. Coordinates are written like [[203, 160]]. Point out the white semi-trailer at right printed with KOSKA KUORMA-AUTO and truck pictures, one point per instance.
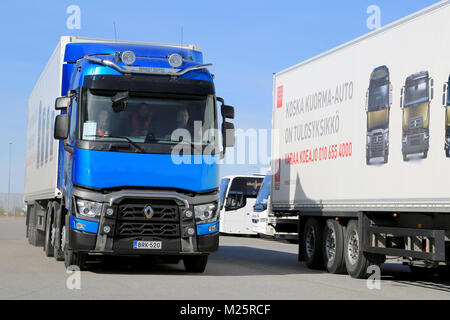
[[337, 117]]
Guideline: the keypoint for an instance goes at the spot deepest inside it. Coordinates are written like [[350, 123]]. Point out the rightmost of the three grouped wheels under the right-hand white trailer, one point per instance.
[[357, 262]]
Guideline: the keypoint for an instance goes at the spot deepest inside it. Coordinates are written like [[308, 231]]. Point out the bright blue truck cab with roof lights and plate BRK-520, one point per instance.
[[138, 153]]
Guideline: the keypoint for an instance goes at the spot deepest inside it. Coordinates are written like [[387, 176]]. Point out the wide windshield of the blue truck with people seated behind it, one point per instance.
[[150, 118]]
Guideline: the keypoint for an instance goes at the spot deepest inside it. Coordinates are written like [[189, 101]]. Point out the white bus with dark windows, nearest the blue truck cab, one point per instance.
[[237, 197]]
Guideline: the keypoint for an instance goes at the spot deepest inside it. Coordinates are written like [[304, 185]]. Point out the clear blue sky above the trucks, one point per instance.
[[247, 41]]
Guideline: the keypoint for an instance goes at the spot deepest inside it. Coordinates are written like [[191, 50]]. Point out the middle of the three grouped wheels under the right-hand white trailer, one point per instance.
[[333, 247]]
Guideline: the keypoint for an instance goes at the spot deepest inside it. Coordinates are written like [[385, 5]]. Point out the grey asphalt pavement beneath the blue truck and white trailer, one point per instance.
[[243, 268]]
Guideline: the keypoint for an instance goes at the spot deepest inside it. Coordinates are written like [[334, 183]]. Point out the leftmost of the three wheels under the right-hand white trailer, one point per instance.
[[312, 244]]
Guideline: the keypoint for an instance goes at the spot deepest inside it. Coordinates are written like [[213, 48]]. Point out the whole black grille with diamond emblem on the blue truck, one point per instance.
[[132, 221]]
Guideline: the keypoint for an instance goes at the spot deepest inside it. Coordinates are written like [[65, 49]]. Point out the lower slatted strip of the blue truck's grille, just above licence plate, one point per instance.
[[149, 229]]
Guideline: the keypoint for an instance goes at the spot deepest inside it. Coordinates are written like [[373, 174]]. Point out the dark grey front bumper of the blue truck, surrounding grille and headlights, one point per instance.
[[128, 224]]
